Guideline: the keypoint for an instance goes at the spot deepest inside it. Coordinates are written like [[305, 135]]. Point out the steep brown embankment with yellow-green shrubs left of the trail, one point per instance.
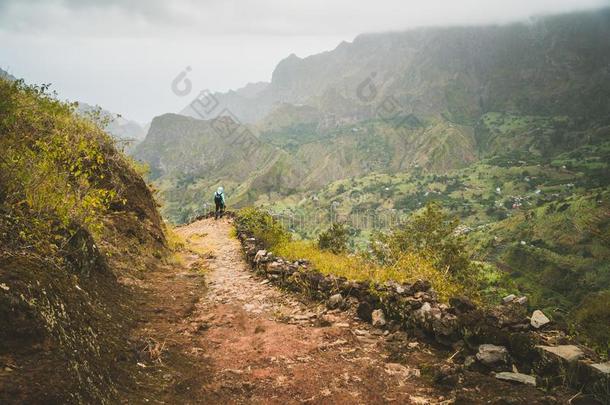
[[76, 224]]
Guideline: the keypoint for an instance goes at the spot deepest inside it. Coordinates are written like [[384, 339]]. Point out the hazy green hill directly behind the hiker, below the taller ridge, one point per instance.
[[190, 157]]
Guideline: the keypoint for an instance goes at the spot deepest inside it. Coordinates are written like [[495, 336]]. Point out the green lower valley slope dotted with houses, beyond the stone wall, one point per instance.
[[542, 221]]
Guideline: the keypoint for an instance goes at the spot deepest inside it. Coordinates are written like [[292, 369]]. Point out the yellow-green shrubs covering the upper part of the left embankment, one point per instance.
[[55, 169]]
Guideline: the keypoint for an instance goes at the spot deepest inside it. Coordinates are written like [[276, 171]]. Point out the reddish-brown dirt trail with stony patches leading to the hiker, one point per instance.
[[212, 332]]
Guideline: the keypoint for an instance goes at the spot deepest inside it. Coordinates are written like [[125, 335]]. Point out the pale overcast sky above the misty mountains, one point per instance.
[[123, 55]]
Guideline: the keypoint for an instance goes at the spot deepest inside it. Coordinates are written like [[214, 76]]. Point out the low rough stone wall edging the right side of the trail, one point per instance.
[[488, 340]]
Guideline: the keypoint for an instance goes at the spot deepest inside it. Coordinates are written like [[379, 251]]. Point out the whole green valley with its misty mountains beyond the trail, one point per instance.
[[507, 127]]
